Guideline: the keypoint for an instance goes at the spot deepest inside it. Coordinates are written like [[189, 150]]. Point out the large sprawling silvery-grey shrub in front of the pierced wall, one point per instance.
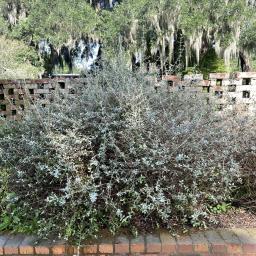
[[119, 155]]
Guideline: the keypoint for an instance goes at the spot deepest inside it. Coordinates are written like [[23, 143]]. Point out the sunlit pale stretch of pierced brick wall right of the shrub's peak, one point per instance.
[[231, 91]]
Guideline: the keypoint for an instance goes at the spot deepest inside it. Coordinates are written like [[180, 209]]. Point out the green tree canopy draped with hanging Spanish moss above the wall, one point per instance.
[[153, 30]]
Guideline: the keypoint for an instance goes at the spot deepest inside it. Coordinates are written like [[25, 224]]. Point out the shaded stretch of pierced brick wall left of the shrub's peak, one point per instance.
[[16, 95]]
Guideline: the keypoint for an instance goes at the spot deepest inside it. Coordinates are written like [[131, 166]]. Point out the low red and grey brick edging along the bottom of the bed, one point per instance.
[[221, 242]]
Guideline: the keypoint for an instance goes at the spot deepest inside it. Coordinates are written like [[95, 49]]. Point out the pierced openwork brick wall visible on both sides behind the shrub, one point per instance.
[[233, 91]]
